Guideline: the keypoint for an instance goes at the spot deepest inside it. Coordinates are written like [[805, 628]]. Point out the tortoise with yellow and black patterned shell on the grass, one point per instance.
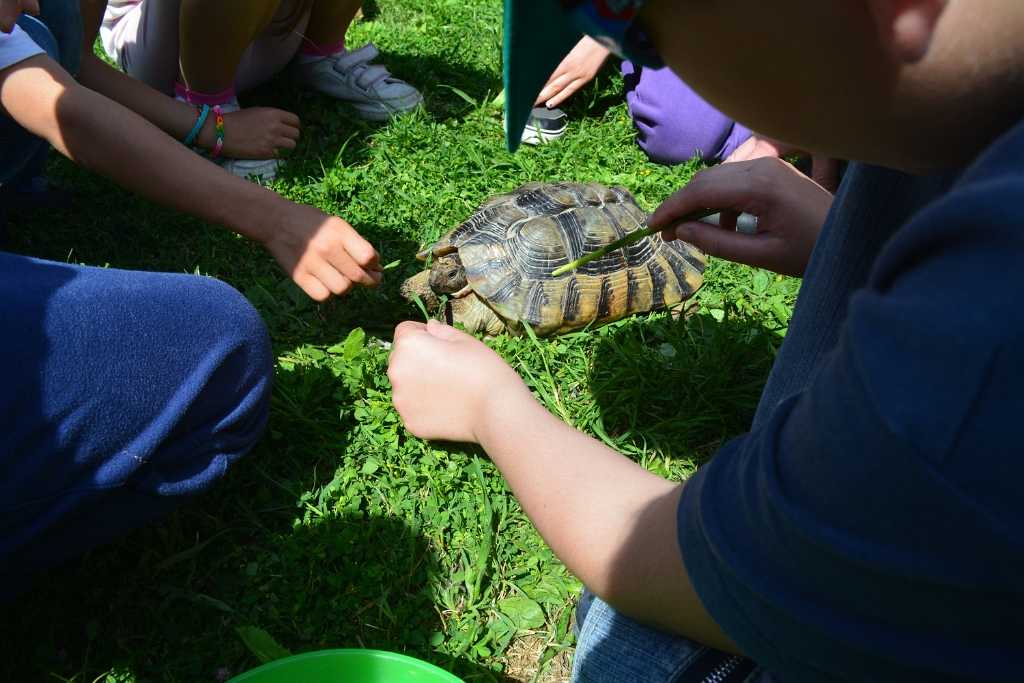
[[496, 268]]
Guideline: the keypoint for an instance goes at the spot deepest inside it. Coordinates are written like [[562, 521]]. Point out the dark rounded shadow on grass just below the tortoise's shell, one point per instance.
[[681, 387]]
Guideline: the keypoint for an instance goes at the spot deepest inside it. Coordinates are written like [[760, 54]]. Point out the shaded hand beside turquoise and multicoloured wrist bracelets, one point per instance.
[[258, 133]]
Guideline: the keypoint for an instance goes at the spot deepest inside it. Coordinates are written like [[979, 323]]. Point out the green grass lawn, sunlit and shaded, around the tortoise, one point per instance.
[[342, 530]]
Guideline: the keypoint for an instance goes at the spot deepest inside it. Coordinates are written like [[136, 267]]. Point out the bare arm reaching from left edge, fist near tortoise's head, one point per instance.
[[323, 254]]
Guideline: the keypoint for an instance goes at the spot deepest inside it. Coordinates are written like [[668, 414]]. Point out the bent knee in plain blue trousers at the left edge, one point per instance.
[[123, 394]]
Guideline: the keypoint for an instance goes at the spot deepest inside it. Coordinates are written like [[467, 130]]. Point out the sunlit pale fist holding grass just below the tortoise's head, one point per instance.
[[447, 386]]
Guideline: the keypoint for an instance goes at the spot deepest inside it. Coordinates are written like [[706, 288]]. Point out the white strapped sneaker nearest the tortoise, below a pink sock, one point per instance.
[[370, 89]]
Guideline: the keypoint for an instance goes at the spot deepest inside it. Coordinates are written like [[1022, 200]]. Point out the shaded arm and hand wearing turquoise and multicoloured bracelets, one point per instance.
[[252, 134]]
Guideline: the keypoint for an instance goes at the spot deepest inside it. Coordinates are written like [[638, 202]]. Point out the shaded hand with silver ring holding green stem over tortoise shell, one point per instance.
[[791, 210]]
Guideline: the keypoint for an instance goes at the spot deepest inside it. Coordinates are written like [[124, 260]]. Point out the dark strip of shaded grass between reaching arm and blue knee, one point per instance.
[[108, 226]]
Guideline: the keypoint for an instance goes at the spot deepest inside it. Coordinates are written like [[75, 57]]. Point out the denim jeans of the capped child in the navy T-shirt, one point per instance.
[[871, 205]]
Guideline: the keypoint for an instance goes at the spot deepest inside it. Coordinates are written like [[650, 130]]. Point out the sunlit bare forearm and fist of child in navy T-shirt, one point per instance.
[[612, 523]]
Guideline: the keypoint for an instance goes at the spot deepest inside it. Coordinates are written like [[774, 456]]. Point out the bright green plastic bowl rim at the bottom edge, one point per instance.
[[350, 666]]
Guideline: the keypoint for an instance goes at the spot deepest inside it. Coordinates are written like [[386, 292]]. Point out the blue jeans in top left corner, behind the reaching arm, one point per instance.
[[59, 32]]
